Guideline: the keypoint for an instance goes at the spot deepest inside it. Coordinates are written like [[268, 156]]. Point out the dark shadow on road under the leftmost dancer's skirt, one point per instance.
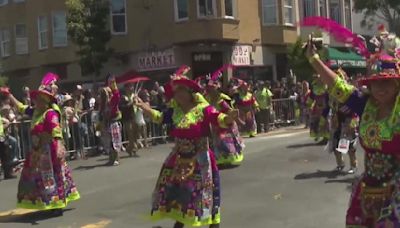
[[32, 218]]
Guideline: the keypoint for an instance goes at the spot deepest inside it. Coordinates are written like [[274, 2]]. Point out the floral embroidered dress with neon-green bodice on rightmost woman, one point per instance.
[[375, 201]]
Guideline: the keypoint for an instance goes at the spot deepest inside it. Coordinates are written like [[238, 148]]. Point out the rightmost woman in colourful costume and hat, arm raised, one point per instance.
[[375, 199]]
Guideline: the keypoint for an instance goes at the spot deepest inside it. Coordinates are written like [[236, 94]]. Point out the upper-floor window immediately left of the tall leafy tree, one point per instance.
[[59, 29]]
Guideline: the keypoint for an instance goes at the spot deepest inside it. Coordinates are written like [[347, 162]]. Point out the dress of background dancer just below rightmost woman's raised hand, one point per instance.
[[319, 100]]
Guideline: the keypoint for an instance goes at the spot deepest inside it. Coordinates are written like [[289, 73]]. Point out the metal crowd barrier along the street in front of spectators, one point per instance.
[[83, 137]]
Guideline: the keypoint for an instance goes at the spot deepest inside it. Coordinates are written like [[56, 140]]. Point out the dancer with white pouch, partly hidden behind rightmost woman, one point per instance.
[[344, 124]]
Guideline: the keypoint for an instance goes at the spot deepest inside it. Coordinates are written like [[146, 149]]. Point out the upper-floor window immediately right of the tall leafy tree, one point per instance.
[[118, 16]]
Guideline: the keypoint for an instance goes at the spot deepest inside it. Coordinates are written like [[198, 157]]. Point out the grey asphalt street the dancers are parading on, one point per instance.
[[285, 181]]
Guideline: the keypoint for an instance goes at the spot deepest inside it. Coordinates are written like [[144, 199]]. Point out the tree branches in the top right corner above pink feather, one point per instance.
[[386, 10]]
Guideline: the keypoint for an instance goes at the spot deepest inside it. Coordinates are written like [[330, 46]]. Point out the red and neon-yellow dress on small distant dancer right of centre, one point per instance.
[[247, 104]]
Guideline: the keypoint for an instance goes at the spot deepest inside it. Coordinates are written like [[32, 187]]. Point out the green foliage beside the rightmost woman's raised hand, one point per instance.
[[298, 62]]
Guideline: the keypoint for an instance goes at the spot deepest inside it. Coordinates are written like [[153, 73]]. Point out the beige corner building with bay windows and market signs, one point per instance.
[[154, 37]]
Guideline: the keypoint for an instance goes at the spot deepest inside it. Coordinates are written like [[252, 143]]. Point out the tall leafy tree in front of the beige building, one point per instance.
[[87, 22]]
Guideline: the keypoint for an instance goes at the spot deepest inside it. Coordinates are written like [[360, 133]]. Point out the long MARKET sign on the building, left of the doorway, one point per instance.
[[156, 60]]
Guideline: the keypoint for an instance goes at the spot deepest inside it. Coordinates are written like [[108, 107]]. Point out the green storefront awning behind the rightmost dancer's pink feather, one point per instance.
[[346, 59]]
